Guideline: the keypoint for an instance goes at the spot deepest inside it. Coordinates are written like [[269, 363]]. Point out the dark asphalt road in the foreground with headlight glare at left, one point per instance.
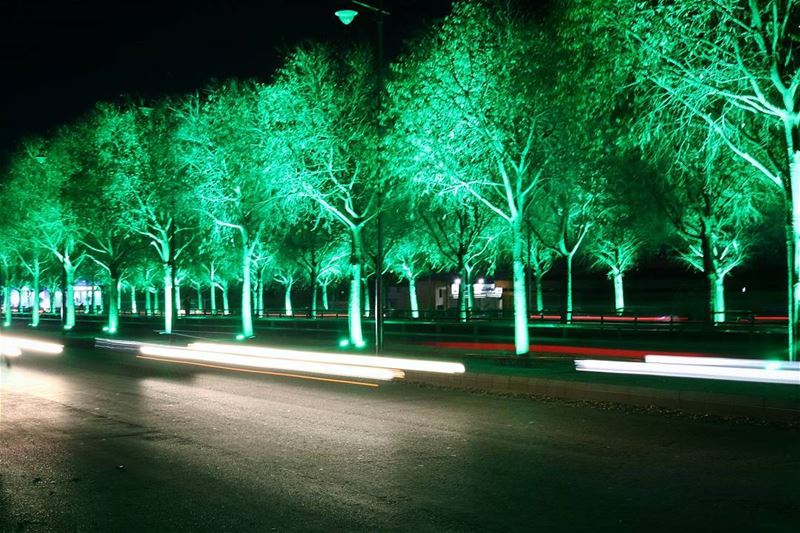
[[106, 443]]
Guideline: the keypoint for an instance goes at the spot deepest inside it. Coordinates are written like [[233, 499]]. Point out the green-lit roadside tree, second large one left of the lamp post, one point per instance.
[[241, 172]]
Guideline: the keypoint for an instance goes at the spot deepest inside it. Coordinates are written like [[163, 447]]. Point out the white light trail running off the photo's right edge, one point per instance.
[[789, 377]]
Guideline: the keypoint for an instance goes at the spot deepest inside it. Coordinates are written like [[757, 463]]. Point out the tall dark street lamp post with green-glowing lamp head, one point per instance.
[[346, 16]]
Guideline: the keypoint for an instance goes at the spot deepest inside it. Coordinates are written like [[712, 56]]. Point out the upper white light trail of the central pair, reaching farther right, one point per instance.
[[334, 358]]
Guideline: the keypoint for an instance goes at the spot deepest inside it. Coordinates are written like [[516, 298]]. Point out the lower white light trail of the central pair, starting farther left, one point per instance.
[[363, 372]]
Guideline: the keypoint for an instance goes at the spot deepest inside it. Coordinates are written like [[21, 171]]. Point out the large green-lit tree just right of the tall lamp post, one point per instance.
[[473, 99]]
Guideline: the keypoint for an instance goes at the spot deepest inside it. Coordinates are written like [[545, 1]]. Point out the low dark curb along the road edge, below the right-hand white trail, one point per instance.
[[704, 403]]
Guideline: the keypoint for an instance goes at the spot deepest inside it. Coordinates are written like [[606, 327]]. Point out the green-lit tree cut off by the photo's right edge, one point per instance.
[[733, 65]]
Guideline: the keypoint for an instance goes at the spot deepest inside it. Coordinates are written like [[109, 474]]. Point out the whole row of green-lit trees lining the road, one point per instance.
[[651, 125]]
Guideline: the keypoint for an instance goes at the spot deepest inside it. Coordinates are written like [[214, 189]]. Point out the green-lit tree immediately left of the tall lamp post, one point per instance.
[[328, 118]]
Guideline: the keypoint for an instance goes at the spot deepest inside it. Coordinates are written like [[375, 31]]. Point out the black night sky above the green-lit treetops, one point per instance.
[[58, 57]]
